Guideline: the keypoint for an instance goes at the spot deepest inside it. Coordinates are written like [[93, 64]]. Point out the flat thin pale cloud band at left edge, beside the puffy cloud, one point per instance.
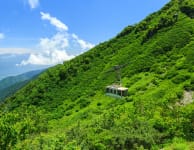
[[18, 51]]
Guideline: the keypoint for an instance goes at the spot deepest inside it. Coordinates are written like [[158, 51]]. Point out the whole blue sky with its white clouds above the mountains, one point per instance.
[[38, 33]]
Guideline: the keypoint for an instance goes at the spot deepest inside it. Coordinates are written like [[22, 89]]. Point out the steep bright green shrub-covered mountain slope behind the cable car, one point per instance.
[[66, 107]]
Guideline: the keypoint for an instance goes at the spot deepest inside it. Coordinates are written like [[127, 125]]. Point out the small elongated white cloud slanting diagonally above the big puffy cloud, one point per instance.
[[54, 21]]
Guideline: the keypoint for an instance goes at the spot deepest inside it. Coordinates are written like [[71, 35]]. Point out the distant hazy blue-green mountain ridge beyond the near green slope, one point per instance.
[[10, 85]]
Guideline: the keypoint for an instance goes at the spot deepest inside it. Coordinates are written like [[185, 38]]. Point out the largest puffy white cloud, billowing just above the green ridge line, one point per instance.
[[51, 51]]
